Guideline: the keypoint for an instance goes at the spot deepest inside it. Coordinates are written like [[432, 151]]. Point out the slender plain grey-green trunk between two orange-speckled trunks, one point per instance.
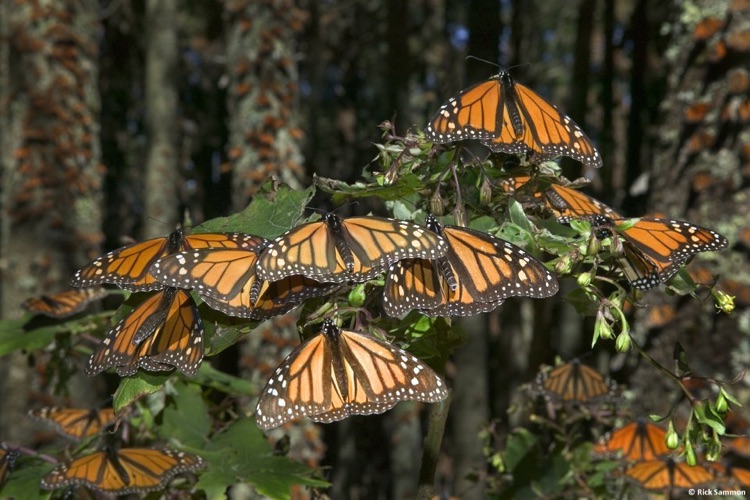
[[161, 172]]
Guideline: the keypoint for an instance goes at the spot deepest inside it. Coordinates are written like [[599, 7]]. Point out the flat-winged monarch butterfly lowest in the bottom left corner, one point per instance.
[[129, 470]]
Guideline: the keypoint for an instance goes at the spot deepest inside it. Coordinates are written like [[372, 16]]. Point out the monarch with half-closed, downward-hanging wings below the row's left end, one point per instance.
[[162, 332]]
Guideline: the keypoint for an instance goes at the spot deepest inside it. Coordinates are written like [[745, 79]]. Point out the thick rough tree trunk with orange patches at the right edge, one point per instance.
[[699, 172]]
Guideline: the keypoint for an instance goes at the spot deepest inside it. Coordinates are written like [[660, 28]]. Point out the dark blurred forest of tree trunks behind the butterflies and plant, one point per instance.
[[118, 116]]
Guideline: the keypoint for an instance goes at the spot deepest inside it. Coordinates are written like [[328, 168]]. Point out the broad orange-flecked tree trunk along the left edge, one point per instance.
[[51, 213]]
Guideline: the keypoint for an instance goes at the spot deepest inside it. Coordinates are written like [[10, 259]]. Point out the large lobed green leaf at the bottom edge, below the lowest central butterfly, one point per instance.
[[242, 454]]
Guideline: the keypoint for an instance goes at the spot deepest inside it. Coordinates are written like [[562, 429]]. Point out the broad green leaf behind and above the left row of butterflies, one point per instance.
[[268, 215]]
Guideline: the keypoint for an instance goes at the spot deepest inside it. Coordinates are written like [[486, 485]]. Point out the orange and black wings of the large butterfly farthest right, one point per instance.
[[655, 249]]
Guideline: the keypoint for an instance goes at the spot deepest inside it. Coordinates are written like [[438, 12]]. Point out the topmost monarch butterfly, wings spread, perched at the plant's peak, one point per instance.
[[509, 117]]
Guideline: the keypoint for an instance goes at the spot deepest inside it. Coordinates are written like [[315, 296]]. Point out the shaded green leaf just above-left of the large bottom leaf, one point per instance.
[[186, 418]]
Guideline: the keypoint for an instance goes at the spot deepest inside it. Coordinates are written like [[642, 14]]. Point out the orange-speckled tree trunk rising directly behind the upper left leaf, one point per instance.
[[262, 96]]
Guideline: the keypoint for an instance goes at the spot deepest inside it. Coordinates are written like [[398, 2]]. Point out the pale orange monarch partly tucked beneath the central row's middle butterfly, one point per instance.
[[226, 280]]
